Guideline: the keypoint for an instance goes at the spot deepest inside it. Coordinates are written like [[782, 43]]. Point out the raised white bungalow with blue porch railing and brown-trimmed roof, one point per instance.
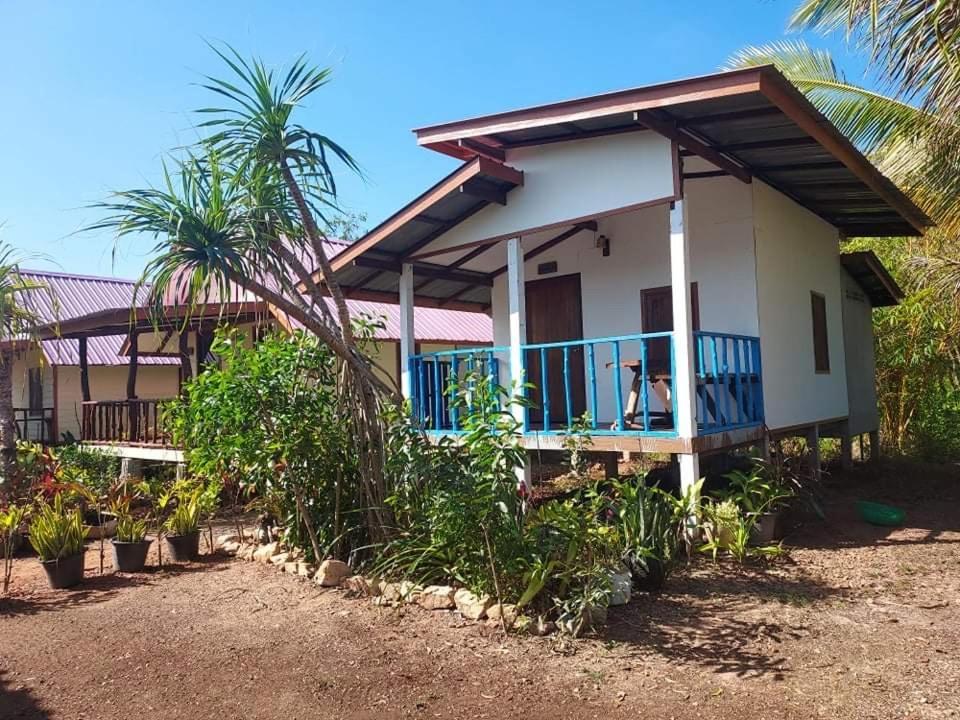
[[666, 259]]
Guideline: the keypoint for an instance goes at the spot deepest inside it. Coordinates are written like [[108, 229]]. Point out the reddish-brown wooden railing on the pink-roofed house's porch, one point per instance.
[[131, 422]]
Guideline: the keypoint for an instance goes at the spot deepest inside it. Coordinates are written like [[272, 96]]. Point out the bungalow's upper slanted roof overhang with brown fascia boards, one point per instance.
[[749, 123]]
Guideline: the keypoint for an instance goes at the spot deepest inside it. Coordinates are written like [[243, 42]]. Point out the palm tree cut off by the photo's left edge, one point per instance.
[[17, 321]]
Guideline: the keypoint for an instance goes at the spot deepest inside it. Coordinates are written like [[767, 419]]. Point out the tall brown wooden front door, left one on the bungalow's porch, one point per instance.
[[554, 314]]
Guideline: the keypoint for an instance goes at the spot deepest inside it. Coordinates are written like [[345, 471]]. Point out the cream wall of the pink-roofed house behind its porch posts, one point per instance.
[[154, 382]]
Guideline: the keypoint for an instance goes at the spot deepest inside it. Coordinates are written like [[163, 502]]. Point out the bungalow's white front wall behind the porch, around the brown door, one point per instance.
[[722, 265]]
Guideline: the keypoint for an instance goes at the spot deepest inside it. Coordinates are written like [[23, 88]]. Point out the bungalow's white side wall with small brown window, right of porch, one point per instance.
[[797, 252]]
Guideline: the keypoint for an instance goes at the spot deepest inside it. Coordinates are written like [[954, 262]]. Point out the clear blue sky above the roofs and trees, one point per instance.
[[94, 93]]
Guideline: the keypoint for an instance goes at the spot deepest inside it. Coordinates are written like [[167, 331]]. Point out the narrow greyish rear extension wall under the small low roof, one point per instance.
[[860, 359]]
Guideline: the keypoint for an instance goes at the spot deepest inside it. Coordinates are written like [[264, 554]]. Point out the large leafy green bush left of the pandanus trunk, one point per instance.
[[269, 420]]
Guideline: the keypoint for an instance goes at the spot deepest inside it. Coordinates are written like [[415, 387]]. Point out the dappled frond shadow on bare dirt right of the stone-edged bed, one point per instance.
[[722, 617]]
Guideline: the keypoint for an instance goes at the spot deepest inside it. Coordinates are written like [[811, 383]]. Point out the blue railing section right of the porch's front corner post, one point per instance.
[[729, 391]]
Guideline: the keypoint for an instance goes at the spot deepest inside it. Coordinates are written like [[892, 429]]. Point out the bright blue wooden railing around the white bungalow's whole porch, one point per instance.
[[622, 384]]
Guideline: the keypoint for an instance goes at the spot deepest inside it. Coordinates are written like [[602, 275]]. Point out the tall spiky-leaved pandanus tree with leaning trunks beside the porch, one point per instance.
[[246, 208]]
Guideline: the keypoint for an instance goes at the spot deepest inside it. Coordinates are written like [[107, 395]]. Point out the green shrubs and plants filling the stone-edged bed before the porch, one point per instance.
[[266, 423]]
